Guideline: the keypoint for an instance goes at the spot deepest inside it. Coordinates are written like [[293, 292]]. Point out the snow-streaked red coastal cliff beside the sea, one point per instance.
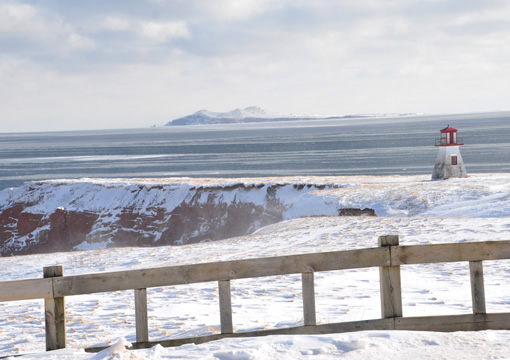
[[65, 215]]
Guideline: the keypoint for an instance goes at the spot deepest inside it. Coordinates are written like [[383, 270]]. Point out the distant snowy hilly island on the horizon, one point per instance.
[[256, 114]]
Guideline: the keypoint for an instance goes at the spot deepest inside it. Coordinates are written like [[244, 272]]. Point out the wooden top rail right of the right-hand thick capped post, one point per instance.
[[429, 254]]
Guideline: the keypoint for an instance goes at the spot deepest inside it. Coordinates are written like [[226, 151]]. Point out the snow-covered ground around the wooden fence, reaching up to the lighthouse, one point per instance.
[[418, 210]]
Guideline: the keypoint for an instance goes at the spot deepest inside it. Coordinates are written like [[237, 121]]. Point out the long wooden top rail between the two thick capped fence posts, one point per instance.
[[227, 270]]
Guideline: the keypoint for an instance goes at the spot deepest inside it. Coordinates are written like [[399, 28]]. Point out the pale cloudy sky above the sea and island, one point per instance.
[[101, 64]]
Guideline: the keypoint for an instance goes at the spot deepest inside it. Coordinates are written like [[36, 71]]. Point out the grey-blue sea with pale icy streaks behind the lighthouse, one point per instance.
[[370, 146]]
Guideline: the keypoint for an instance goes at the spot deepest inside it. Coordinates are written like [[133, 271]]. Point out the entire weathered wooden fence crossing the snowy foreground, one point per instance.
[[388, 257]]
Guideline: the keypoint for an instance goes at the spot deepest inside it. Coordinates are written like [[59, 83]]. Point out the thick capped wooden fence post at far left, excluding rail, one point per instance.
[[55, 314]]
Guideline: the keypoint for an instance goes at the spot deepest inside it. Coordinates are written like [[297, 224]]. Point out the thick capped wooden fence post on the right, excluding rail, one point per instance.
[[391, 291]]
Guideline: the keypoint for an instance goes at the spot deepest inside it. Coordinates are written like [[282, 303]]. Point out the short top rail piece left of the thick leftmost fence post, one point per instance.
[[26, 289]]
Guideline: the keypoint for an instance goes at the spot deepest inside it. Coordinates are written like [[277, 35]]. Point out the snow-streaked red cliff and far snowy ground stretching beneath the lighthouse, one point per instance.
[[63, 215]]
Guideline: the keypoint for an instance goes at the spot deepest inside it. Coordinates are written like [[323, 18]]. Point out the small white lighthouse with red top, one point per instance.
[[449, 162]]
